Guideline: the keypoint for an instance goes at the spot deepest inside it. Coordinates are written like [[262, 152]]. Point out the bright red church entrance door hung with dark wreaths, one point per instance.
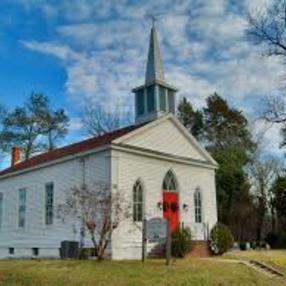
[[171, 209]]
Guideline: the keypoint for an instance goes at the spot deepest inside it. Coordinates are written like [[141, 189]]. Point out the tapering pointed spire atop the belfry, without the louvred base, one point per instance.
[[154, 70]]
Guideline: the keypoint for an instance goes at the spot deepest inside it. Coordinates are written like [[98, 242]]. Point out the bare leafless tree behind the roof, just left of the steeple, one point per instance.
[[98, 120]]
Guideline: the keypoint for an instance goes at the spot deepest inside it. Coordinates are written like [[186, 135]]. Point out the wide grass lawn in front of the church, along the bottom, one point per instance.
[[118, 273]]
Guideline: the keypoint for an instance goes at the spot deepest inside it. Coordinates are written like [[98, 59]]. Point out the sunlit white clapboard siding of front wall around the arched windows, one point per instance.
[[126, 241]]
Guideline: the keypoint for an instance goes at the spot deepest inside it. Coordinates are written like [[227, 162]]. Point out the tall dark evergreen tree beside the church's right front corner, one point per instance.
[[229, 141]]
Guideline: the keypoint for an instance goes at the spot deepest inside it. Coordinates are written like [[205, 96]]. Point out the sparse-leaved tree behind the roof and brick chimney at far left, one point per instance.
[[28, 126]]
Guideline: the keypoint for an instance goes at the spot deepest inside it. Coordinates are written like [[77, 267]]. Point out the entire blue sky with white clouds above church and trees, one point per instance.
[[79, 50]]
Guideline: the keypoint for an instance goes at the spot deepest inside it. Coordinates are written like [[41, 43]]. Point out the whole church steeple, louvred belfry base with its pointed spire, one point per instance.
[[155, 97]]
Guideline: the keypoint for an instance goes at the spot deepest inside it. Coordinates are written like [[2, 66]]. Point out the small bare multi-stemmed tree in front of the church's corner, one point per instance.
[[98, 210]]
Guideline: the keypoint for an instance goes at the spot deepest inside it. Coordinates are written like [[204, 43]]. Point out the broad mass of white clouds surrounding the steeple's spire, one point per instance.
[[103, 45]]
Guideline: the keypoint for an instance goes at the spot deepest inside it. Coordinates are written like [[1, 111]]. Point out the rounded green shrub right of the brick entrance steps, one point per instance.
[[221, 239]]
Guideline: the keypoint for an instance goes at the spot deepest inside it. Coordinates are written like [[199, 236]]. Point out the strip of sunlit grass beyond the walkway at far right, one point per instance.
[[276, 258]]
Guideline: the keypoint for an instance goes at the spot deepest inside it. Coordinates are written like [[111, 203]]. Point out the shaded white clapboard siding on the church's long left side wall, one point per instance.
[[64, 175]]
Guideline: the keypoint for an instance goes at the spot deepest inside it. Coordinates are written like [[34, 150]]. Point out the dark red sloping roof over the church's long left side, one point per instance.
[[68, 150]]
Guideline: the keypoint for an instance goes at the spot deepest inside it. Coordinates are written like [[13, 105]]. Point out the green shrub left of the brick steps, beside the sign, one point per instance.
[[181, 242]]
